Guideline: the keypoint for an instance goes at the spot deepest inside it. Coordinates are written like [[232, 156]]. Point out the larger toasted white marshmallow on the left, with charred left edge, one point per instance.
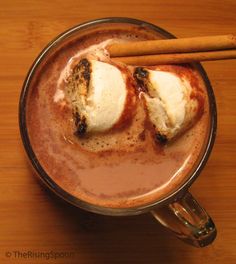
[[97, 92]]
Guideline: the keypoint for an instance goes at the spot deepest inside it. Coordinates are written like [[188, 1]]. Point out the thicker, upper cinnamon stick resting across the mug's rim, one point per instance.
[[197, 44]]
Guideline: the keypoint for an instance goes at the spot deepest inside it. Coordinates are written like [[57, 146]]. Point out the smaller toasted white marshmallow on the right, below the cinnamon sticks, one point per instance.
[[169, 104]]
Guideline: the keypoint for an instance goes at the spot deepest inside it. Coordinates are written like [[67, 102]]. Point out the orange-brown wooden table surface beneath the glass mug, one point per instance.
[[33, 219]]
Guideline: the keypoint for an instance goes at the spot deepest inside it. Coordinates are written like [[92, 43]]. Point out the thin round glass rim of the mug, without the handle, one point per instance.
[[176, 193]]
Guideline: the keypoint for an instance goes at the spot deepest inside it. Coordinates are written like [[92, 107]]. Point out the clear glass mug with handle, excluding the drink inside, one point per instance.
[[178, 211]]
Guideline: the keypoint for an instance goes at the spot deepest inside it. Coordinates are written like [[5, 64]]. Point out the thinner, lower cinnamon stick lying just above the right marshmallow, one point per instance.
[[177, 58]]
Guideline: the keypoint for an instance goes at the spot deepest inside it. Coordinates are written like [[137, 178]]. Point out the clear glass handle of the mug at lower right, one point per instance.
[[187, 220]]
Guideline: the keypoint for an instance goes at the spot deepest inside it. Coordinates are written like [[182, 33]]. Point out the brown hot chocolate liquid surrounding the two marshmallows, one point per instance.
[[124, 168]]
